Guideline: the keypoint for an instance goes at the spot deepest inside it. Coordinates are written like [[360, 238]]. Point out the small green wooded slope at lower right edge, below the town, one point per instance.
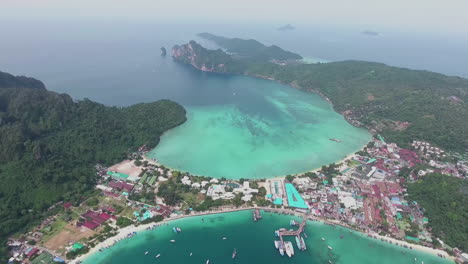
[[445, 200]]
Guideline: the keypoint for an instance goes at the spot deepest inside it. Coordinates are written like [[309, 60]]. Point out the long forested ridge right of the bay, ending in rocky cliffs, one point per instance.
[[401, 104]]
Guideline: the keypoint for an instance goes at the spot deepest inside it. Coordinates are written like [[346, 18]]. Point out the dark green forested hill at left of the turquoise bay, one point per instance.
[[49, 145]]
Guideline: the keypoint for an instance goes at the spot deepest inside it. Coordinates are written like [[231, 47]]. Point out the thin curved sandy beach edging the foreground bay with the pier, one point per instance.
[[122, 233]]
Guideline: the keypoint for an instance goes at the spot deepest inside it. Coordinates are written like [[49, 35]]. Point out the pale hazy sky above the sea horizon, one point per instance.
[[420, 15]]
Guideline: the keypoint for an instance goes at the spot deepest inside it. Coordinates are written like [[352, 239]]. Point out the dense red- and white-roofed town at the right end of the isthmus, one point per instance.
[[368, 193]]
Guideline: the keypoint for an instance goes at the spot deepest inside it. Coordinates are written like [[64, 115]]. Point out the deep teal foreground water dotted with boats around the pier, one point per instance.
[[254, 244]]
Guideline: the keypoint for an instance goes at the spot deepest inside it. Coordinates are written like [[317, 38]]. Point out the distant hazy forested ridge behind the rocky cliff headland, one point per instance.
[[251, 49]]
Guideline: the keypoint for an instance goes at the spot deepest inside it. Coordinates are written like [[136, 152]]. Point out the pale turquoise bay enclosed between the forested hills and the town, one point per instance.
[[257, 129]]
